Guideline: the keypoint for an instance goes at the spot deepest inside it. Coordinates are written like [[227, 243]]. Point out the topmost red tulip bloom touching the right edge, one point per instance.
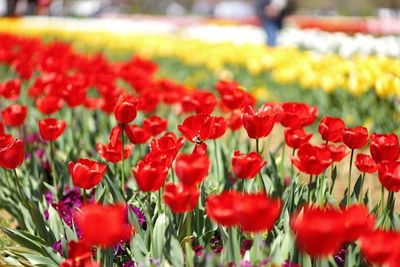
[[384, 147]]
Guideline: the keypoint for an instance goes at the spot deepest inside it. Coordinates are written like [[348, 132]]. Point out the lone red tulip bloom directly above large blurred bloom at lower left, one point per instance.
[[86, 173]]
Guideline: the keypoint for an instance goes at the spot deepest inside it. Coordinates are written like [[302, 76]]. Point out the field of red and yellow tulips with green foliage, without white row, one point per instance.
[[143, 149]]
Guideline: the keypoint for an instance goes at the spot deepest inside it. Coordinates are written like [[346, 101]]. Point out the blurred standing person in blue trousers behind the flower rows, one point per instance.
[[272, 14]]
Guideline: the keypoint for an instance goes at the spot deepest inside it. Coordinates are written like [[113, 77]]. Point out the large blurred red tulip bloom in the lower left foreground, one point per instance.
[[103, 225]]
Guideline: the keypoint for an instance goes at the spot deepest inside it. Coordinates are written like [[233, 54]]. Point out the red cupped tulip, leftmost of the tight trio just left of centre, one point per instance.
[[150, 176]]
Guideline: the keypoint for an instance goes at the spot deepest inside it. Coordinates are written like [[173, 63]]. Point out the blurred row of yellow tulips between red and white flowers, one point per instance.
[[287, 65]]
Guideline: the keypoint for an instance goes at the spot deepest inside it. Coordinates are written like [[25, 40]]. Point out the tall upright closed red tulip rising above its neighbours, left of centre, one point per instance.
[[125, 109]]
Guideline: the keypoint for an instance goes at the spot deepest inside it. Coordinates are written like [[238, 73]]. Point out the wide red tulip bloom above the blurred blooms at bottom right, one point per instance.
[[312, 160]]
